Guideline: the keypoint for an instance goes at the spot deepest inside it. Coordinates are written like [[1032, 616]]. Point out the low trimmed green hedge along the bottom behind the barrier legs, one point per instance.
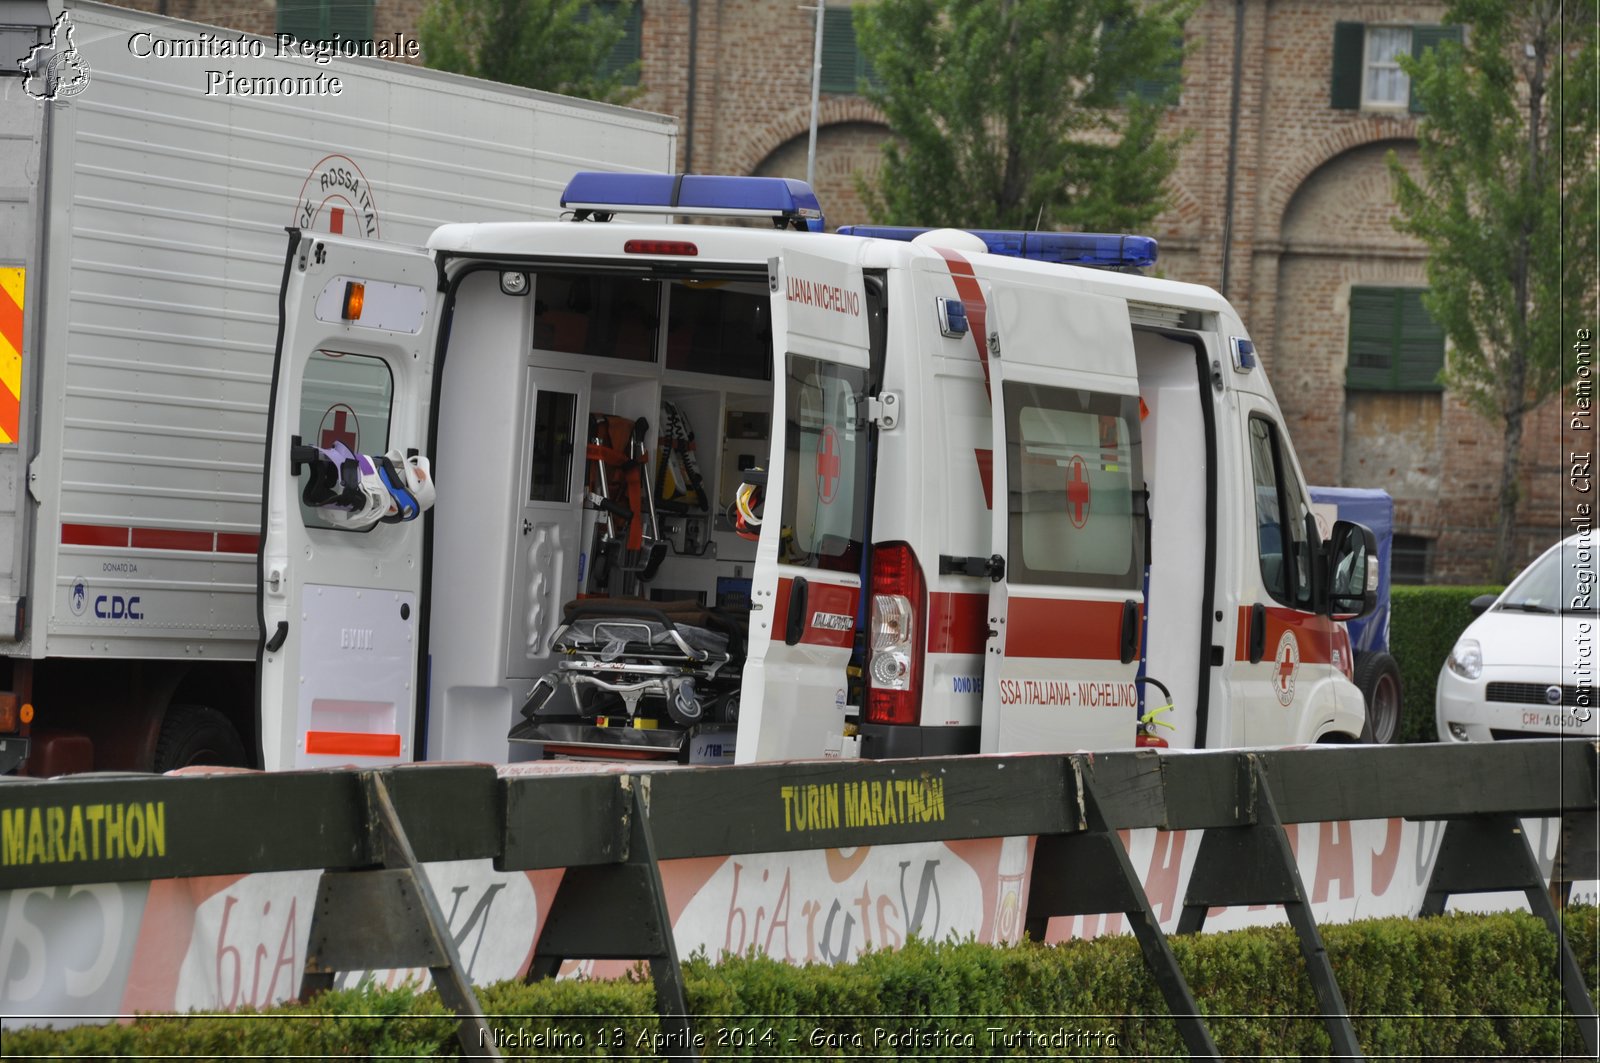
[[1455, 987]]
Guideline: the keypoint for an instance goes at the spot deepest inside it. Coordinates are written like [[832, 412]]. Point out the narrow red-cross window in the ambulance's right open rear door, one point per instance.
[[825, 465]]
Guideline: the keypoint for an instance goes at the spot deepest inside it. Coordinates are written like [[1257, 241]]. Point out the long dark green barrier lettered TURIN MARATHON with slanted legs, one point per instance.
[[370, 832]]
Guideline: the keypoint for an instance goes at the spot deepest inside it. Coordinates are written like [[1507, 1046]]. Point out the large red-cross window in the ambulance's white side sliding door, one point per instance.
[[1074, 467]]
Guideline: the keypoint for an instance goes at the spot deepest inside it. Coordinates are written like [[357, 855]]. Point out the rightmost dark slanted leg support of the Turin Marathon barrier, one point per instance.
[[1489, 856]]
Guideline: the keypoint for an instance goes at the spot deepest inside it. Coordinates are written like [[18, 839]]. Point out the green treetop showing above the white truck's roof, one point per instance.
[[558, 46]]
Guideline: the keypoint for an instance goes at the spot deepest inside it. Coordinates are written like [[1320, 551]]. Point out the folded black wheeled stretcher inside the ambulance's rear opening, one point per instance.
[[644, 678]]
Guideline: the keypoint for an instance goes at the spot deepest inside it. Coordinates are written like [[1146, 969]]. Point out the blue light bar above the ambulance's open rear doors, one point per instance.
[[604, 195]]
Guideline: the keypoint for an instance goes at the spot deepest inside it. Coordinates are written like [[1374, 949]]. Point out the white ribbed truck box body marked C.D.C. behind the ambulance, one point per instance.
[[145, 222]]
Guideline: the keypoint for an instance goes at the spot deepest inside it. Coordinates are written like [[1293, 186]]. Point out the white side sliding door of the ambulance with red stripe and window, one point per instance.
[[1066, 617]]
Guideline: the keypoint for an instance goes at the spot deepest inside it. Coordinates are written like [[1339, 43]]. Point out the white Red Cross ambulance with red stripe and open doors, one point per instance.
[[759, 492]]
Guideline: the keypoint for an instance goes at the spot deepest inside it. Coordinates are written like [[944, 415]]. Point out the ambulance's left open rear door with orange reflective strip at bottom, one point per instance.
[[340, 601]]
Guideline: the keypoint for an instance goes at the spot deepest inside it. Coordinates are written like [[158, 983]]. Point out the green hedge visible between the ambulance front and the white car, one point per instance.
[[1423, 627]]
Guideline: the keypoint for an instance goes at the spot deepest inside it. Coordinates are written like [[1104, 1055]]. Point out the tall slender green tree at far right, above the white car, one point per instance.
[[1505, 203]]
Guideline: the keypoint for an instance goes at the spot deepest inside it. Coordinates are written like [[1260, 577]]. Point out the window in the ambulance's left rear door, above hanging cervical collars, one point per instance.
[[345, 399]]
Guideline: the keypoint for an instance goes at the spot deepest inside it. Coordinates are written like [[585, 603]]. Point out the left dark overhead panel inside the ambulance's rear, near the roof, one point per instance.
[[612, 318]]
